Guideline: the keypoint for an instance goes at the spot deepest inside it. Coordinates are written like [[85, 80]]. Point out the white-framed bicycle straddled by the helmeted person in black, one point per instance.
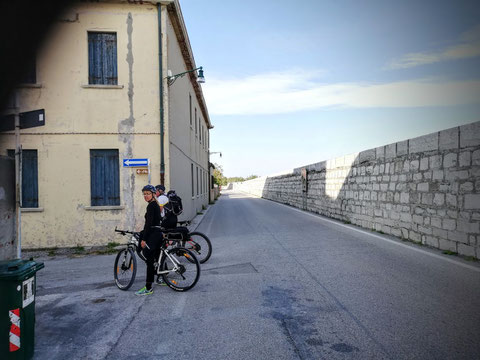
[[178, 266]]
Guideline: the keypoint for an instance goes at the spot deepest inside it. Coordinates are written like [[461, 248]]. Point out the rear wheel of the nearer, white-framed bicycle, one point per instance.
[[187, 268]]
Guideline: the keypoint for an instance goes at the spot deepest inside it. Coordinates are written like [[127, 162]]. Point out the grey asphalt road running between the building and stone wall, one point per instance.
[[281, 284]]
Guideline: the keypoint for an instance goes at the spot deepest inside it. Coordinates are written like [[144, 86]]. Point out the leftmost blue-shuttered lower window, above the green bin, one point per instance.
[[29, 177]]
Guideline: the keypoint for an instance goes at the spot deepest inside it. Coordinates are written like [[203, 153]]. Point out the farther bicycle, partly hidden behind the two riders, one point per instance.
[[195, 241]]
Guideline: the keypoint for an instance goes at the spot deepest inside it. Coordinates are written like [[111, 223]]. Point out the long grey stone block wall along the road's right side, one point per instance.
[[425, 189]]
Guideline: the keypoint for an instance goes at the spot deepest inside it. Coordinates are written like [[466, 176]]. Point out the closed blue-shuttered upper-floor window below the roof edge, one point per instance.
[[102, 58]]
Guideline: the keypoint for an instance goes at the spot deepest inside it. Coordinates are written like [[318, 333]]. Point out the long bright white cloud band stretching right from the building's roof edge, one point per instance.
[[297, 90]]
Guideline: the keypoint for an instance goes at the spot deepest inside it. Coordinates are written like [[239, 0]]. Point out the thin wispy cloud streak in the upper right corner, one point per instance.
[[467, 47]]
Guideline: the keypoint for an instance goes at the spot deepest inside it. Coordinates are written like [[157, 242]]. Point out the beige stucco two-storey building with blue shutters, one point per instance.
[[102, 80]]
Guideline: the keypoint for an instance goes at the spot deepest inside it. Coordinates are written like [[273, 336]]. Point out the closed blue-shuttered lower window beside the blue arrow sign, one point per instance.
[[104, 177]]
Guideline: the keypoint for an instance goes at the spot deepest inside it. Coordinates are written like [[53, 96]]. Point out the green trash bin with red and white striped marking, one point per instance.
[[17, 308]]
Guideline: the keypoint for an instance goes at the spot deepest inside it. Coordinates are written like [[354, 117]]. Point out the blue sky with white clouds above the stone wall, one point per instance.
[[291, 83]]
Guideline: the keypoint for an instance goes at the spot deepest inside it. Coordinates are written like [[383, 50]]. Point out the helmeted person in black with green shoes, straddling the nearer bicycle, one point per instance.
[[150, 237]]
